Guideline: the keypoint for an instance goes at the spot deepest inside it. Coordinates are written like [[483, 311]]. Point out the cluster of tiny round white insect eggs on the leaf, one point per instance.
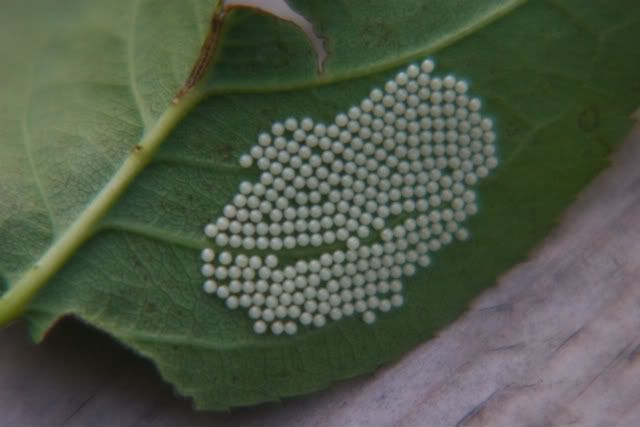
[[368, 199]]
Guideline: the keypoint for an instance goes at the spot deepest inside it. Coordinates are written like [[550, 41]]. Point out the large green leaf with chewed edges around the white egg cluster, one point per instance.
[[105, 186]]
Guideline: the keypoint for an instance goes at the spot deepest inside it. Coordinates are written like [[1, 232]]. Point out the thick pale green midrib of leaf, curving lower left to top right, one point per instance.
[[19, 295]]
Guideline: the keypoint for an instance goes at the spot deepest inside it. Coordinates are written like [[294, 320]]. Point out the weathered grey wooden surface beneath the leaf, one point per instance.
[[556, 343]]
